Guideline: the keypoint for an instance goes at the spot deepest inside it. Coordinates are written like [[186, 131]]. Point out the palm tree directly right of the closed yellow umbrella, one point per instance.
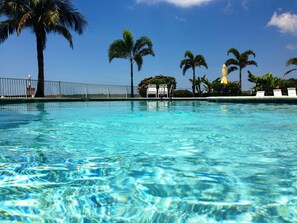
[[239, 62]]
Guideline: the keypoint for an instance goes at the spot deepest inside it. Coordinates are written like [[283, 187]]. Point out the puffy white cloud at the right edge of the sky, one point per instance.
[[286, 22]]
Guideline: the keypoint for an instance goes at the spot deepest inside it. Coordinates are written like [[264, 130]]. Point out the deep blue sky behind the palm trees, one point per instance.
[[207, 27]]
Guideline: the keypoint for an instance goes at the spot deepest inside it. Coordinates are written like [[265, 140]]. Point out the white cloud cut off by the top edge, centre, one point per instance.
[[178, 3]]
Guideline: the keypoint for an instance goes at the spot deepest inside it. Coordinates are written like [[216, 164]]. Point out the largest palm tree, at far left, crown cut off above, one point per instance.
[[42, 17]]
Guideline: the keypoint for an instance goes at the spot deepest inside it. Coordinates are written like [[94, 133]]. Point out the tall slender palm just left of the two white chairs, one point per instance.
[[127, 49]]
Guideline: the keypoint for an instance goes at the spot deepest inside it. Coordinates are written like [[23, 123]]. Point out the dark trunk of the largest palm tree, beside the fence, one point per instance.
[[40, 83]]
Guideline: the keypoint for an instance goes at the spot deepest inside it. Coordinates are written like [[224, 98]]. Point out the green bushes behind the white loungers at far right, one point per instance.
[[268, 82]]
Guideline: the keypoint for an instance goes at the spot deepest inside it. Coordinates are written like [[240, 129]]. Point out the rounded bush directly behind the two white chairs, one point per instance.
[[160, 79]]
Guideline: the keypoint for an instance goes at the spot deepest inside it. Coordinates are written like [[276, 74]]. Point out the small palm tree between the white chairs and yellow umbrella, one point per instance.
[[192, 62]]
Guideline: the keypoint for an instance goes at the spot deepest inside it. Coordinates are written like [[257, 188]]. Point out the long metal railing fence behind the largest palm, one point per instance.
[[12, 87]]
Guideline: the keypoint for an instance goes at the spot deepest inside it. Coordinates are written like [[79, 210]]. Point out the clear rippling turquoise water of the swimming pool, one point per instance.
[[148, 162]]
